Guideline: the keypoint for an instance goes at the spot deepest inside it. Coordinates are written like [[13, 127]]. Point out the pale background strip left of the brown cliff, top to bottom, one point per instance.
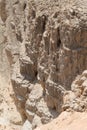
[[10, 118]]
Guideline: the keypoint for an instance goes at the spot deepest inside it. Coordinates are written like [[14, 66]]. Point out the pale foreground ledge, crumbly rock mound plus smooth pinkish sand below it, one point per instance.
[[74, 107]]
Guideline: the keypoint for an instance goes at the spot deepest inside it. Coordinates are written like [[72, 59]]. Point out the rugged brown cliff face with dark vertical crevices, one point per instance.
[[46, 46]]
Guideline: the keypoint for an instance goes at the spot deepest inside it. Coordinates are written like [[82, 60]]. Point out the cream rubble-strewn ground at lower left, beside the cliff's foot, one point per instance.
[[10, 118]]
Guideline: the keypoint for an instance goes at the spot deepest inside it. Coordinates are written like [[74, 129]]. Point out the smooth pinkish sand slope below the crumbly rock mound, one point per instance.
[[67, 121]]
